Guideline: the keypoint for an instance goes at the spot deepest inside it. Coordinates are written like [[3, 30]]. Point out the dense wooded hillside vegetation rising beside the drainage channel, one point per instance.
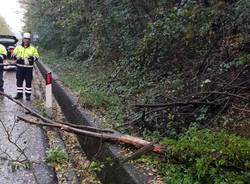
[[185, 62]]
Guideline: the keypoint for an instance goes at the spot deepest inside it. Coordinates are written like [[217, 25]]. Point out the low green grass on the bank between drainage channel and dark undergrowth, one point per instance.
[[90, 83]]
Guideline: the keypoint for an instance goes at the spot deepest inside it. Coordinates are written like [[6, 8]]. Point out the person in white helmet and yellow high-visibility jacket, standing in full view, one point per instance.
[[25, 56]]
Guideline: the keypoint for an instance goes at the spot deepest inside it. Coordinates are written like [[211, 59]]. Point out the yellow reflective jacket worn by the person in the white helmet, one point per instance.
[[23, 54]]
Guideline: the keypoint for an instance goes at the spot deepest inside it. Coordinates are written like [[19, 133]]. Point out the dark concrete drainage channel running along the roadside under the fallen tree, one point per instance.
[[93, 147]]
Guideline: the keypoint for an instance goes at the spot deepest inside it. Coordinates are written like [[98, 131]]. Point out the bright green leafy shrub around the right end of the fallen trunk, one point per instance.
[[204, 157]]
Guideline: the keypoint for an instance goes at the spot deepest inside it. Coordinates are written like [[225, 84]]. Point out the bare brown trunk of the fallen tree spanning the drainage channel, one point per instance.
[[145, 146]]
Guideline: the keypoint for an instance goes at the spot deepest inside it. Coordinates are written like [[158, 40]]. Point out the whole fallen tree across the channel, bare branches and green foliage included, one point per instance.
[[176, 149]]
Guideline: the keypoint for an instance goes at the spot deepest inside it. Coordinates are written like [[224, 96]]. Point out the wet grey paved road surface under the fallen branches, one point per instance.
[[30, 138]]
